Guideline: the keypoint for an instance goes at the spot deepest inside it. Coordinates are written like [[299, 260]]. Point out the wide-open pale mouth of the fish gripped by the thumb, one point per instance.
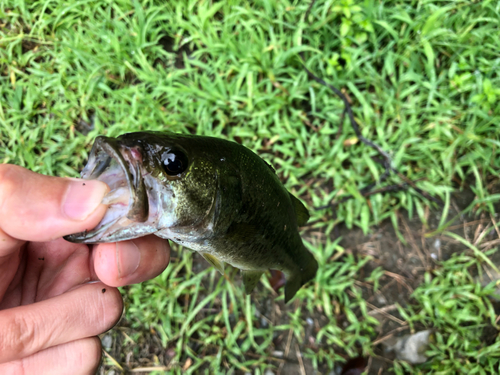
[[119, 167]]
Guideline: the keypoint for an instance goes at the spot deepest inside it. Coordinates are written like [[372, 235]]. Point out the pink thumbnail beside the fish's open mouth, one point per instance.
[[83, 197]]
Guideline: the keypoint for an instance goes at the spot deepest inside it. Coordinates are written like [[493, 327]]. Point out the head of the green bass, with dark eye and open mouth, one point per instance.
[[157, 181]]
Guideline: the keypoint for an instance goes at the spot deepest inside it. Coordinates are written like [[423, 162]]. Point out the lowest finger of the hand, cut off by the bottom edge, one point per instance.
[[76, 357]]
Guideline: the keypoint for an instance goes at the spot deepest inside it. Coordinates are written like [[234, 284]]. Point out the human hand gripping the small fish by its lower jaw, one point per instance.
[[49, 312]]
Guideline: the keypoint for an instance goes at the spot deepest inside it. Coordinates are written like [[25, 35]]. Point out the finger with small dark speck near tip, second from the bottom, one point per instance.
[[83, 312]]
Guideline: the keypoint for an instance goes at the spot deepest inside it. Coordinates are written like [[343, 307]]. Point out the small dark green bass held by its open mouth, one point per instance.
[[213, 196]]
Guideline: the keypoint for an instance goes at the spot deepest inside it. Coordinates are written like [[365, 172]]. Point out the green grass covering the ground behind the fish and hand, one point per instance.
[[423, 80]]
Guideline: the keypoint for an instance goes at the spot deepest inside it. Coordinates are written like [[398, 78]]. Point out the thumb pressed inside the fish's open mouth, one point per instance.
[[35, 207]]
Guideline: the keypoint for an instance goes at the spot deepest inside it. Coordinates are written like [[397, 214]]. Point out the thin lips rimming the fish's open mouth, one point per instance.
[[138, 207]]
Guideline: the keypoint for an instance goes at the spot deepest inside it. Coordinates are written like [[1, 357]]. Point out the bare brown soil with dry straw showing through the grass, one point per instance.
[[404, 260]]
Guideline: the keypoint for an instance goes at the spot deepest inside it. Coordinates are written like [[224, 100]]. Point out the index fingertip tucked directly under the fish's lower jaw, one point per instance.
[[130, 262]]
